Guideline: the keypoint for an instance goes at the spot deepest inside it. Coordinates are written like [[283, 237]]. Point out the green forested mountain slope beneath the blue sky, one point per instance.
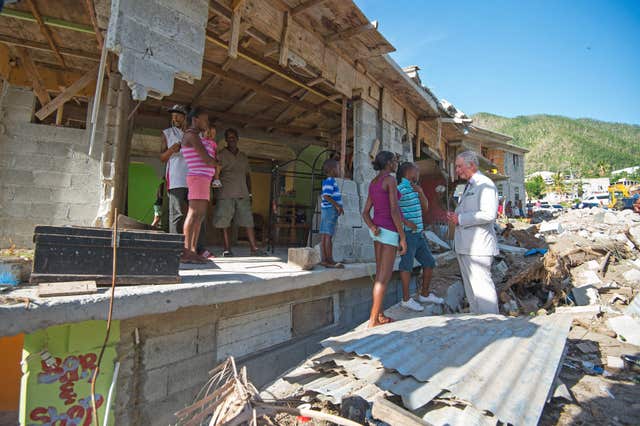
[[556, 143]]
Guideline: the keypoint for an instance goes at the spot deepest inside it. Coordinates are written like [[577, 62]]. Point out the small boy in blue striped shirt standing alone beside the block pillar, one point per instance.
[[331, 209]]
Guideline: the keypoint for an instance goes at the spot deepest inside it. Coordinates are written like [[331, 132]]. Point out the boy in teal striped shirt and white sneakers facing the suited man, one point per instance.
[[413, 204]]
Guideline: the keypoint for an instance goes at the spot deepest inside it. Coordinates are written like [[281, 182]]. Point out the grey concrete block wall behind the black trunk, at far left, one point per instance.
[[46, 176]]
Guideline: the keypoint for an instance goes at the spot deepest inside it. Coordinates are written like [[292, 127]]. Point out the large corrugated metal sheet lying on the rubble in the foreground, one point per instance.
[[502, 365]]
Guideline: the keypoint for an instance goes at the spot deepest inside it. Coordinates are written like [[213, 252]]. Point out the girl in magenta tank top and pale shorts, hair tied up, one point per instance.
[[385, 228]]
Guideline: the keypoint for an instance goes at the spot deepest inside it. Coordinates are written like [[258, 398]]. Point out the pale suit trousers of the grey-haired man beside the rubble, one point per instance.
[[478, 285]]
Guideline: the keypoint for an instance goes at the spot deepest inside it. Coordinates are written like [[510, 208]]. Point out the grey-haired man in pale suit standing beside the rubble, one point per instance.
[[475, 237]]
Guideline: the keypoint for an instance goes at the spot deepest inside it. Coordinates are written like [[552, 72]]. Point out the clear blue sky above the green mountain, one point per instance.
[[577, 58]]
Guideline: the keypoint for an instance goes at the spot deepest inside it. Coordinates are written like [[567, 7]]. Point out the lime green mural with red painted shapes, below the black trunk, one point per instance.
[[57, 364]]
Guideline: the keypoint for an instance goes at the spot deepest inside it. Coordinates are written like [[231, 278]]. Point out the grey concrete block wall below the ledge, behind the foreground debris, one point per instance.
[[165, 358]]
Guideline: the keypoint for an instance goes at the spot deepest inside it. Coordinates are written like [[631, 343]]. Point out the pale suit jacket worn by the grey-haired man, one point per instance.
[[477, 213]]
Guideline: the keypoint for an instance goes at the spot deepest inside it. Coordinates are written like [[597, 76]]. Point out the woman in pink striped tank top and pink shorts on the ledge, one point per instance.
[[199, 153]]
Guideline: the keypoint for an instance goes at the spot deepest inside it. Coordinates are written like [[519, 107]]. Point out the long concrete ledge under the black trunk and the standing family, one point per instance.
[[232, 280]]
